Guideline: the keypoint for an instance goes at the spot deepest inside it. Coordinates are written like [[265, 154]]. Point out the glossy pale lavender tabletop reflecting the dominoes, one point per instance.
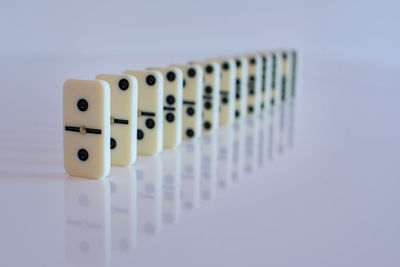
[[312, 183]]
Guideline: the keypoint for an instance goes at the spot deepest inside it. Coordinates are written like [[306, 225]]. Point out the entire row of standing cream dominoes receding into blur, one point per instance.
[[111, 120]]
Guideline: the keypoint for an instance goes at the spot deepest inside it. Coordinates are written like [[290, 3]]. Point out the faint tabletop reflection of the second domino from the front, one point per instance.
[[123, 209]]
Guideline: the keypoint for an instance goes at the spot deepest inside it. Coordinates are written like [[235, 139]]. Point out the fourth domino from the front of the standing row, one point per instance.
[[173, 86]]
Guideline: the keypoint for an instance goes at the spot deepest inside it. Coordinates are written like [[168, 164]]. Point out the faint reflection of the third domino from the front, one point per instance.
[[149, 191]]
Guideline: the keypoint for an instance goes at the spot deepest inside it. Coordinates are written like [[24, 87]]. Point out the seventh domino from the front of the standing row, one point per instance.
[[227, 90]]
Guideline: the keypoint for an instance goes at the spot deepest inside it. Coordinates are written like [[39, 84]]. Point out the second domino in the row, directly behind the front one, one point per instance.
[[124, 96]]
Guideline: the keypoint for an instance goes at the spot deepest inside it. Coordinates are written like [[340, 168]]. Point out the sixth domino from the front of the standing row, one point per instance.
[[212, 74]]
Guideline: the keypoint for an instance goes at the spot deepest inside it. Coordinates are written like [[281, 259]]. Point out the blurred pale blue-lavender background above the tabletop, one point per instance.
[[365, 31]]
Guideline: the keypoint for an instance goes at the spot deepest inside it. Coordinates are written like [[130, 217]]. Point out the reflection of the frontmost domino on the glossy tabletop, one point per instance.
[[87, 221]]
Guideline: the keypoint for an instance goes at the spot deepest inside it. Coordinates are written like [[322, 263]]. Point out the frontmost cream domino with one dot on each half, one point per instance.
[[86, 109]]
